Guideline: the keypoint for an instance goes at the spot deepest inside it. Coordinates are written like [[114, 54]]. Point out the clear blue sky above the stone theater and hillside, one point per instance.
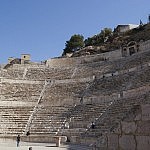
[[41, 27]]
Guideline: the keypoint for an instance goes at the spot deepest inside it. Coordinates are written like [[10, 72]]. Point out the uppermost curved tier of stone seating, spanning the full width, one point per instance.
[[83, 70]]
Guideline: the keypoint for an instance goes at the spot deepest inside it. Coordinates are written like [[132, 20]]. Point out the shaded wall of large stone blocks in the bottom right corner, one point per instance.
[[133, 133]]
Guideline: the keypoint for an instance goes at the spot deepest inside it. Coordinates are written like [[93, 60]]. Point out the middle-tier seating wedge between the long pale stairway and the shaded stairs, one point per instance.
[[55, 94]]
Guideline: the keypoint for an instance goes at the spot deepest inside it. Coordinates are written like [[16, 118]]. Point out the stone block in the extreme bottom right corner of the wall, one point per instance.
[[143, 142]]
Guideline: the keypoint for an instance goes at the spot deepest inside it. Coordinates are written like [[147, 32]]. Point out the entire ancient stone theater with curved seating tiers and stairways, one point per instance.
[[57, 100]]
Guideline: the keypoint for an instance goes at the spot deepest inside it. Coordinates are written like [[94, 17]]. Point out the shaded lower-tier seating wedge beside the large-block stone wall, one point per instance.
[[115, 113]]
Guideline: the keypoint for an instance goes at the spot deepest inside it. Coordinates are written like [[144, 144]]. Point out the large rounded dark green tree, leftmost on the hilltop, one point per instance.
[[76, 42]]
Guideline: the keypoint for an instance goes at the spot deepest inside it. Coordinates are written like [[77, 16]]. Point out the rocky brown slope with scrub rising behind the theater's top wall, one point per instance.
[[115, 41]]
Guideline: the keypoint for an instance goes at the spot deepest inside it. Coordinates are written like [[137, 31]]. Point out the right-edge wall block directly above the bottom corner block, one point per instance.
[[143, 127]]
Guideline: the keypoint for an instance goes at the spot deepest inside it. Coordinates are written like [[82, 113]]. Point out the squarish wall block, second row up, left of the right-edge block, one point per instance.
[[128, 127]]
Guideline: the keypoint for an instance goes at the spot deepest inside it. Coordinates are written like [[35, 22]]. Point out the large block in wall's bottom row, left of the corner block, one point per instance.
[[127, 142]]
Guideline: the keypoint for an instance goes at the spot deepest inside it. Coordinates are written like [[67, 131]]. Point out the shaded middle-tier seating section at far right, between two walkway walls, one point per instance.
[[121, 82]]
